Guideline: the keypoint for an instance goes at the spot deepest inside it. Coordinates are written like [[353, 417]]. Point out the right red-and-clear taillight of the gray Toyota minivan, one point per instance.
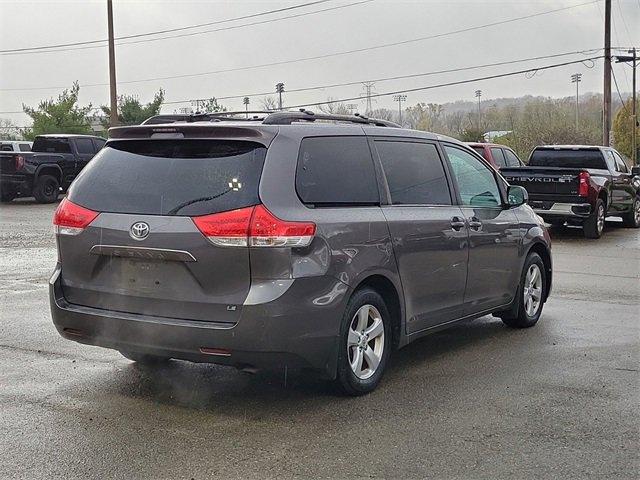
[[255, 227]]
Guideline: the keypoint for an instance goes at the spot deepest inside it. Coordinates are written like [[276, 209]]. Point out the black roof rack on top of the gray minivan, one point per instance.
[[268, 117]]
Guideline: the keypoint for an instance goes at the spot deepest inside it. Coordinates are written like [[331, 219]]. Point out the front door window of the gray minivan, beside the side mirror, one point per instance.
[[476, 182]]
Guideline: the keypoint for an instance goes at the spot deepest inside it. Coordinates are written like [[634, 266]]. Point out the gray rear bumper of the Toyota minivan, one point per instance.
[[291, 331]]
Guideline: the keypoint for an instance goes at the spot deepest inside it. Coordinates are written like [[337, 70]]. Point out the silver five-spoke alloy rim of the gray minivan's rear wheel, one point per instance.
[[365, 341]]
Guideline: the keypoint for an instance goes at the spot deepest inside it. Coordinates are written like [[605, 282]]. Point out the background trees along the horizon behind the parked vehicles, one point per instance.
[[524, 122]]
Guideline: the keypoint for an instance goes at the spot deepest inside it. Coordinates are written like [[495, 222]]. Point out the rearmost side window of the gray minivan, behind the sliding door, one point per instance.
[[335, 171]]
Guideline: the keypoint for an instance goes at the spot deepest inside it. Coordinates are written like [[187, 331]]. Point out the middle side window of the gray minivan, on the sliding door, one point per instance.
[[414, 172]]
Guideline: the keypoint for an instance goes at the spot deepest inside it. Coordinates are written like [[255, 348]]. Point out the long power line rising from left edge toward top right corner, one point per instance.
[[323, 56]]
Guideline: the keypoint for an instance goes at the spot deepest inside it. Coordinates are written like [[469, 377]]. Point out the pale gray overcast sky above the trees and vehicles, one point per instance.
[[355, 26]]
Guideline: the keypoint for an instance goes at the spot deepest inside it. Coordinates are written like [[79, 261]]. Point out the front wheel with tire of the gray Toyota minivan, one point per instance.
[[525, 314]]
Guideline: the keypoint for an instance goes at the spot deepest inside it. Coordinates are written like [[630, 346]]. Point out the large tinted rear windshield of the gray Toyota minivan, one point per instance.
[[171, 177]]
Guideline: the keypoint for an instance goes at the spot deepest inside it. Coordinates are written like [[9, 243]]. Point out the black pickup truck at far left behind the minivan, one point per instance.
[[48, 169]]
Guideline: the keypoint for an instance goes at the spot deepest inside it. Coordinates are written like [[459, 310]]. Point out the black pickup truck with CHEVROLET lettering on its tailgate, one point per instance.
[[580, 185]]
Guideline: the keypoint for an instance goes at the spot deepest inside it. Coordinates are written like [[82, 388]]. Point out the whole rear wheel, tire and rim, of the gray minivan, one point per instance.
[[366, 311]]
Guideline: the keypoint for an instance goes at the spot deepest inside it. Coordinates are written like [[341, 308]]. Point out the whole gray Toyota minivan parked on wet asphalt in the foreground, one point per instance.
[[290, 240]]
